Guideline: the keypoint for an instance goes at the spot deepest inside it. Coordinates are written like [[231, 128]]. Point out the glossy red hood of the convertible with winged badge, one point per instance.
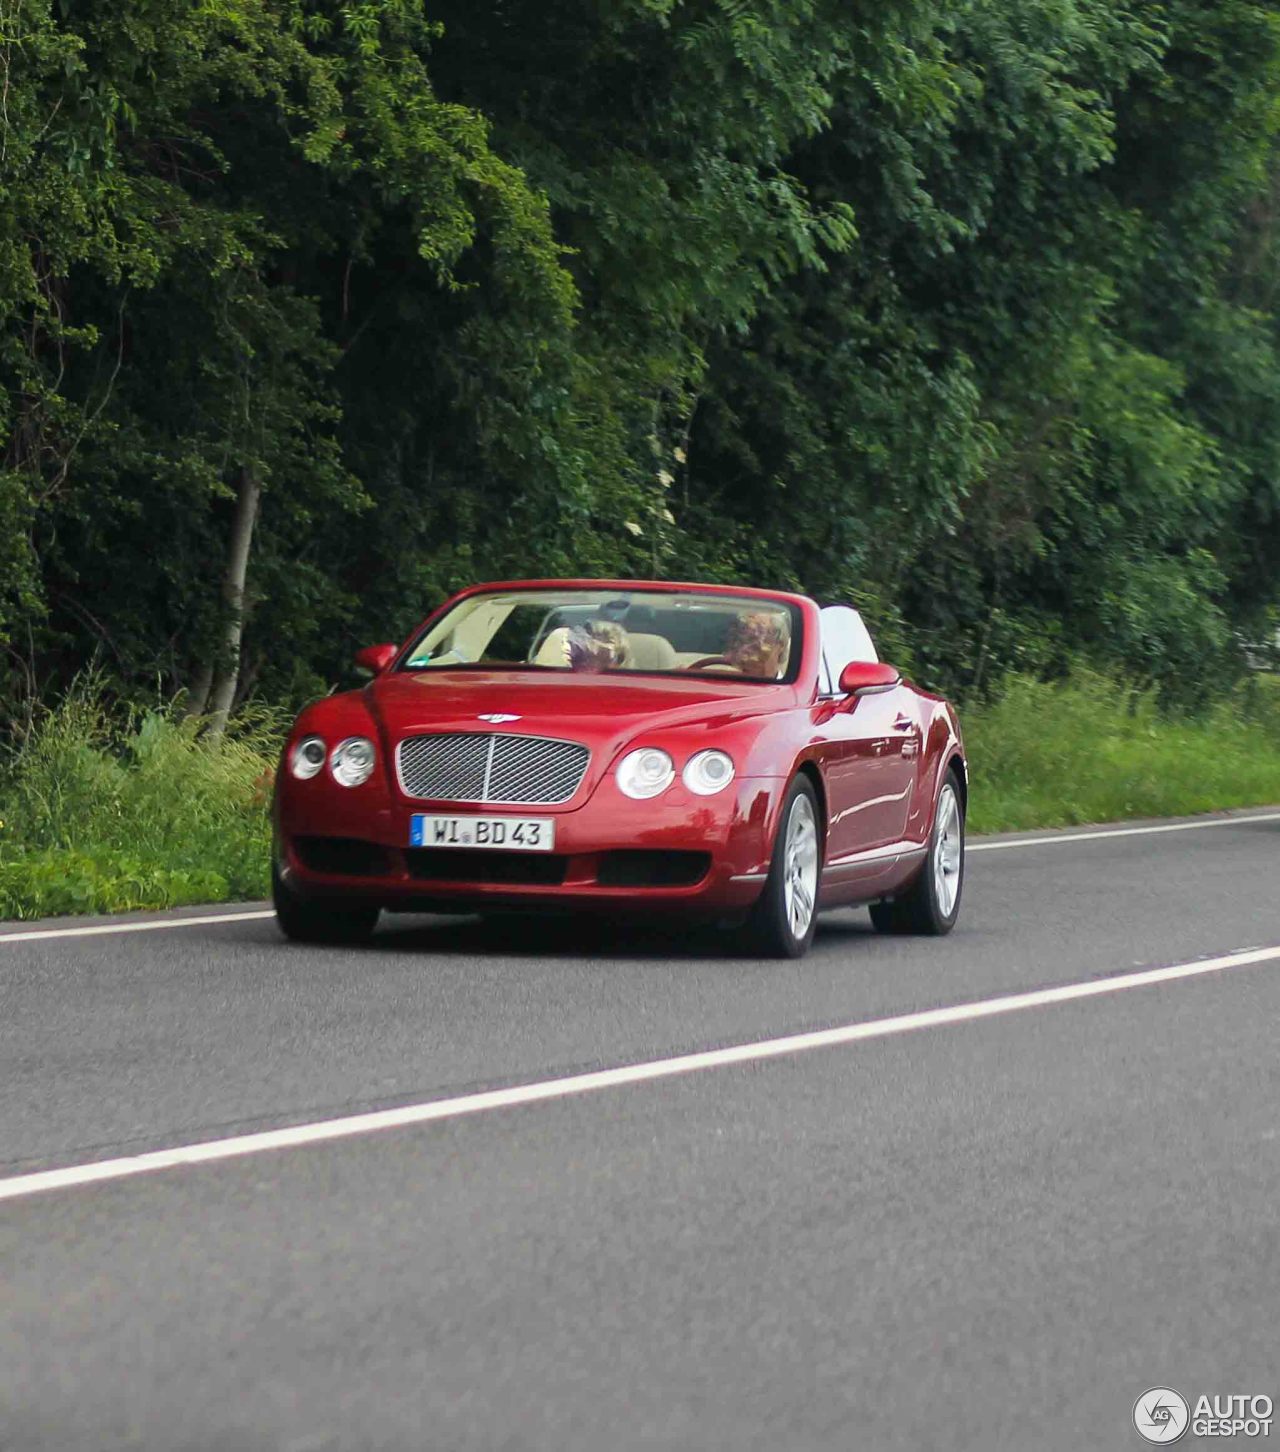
[[602, 712]]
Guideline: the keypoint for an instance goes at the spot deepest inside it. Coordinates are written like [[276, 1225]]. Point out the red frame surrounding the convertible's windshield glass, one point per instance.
[[742, 597]]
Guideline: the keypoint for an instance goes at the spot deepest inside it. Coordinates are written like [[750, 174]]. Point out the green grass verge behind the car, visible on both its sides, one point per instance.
[[102, 815]]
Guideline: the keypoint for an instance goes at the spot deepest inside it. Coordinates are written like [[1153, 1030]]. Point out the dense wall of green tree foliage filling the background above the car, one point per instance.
[[964, 311]]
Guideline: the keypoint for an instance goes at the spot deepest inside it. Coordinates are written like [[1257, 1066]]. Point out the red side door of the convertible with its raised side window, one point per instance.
[[871, 753]]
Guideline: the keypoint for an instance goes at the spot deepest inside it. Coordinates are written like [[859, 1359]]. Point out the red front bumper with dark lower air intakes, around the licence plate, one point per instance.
[[680, 853]]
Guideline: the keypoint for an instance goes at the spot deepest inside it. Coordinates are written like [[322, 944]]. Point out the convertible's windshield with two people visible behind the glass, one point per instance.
[[665, 632]]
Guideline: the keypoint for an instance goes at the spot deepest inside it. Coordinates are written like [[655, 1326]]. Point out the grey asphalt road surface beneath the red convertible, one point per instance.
[[975, 1235]]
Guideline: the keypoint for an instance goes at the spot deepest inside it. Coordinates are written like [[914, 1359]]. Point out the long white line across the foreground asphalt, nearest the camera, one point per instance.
[[433, 1110]]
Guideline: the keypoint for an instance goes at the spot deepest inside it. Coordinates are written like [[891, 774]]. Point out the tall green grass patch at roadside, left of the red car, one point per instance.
[[104, 815]]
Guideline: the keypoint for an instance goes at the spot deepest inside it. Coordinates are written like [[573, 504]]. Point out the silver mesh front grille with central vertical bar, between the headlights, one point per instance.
[[490, 769]]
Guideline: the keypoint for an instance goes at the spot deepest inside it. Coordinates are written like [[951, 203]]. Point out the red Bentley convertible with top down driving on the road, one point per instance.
[[728, 754]]
